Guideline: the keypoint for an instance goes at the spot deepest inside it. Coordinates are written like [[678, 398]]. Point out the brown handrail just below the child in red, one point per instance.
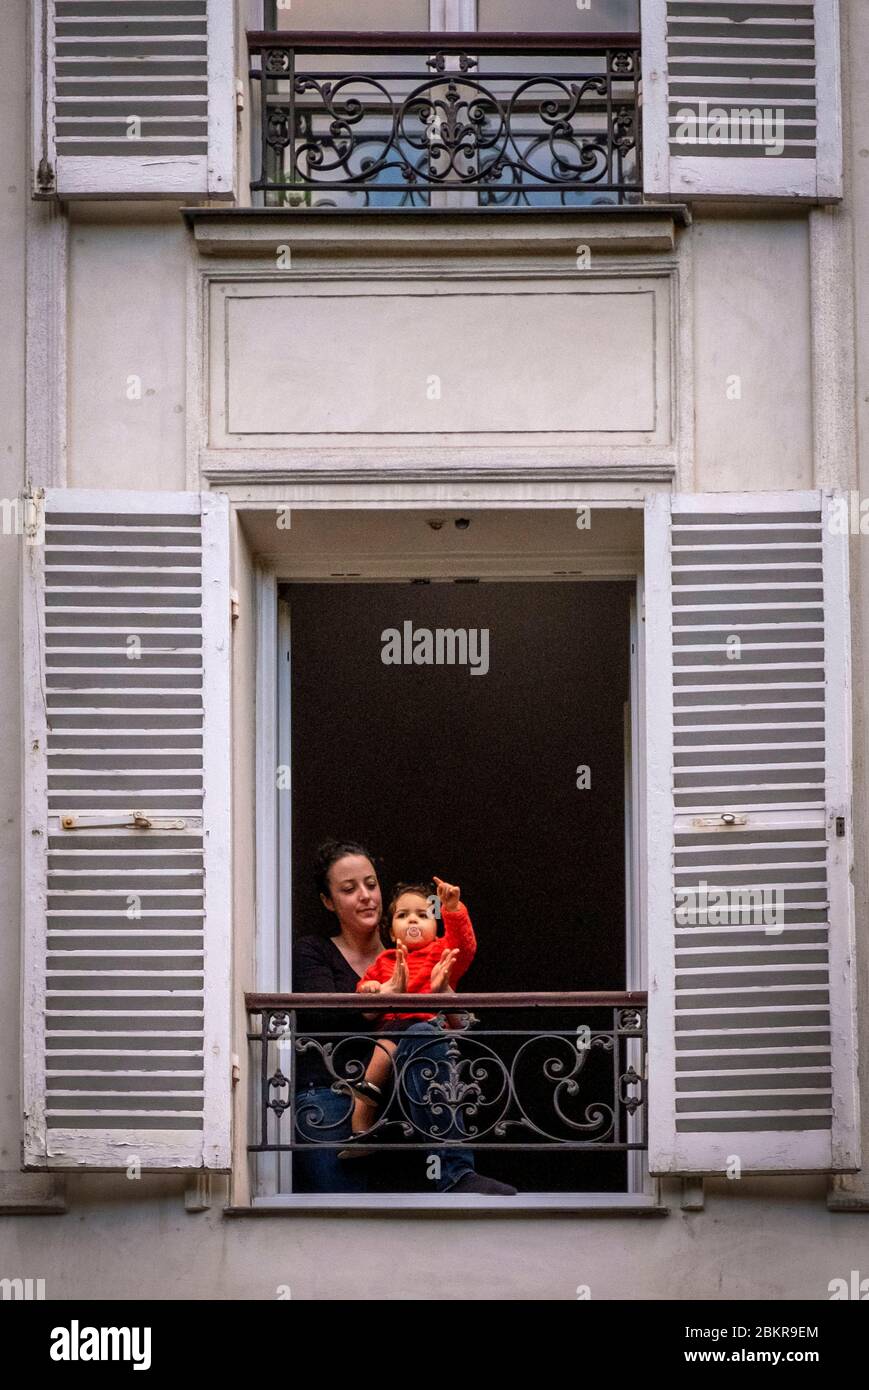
[[450, 1003]]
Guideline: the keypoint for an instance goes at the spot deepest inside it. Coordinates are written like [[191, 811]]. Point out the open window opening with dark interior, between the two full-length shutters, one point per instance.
[[508, 764]]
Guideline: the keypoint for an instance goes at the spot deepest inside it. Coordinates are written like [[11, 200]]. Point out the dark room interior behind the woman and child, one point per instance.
[[473, 778]]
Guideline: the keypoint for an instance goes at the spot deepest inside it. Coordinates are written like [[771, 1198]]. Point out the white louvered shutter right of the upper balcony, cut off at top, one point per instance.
[[725, 81]]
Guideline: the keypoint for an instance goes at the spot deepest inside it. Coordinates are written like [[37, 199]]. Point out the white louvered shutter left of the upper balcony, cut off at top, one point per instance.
[[134, 98]]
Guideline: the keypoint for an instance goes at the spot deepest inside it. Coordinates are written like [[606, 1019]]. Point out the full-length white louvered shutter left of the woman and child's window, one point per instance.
[[127, 832]]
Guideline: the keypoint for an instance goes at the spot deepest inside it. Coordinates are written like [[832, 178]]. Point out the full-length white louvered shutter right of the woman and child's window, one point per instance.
[[749, 692]]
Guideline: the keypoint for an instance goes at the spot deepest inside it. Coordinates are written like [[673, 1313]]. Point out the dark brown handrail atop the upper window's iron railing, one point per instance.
[[426, 41]]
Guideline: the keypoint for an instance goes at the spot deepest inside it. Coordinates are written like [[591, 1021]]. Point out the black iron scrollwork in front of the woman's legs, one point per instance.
[[457, 1088]]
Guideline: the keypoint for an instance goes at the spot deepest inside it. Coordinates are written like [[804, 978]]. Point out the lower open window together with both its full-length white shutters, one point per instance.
[[717, 840]]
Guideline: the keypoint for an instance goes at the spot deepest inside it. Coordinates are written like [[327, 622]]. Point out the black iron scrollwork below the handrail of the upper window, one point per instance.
[[510, 140]]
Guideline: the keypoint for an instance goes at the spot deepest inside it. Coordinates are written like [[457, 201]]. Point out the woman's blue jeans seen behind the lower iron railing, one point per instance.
[[325, 1115]]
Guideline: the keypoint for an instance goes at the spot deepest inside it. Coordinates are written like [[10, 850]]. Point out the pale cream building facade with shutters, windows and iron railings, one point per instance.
[[461, 318]]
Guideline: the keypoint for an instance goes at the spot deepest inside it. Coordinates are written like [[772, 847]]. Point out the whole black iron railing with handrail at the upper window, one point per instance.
[[446, 120]]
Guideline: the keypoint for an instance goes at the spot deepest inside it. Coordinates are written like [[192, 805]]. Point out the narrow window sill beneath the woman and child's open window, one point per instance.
[[404, 1204]]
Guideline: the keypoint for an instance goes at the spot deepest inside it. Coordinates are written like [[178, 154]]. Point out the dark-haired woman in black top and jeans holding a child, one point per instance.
[[350, 889]]
